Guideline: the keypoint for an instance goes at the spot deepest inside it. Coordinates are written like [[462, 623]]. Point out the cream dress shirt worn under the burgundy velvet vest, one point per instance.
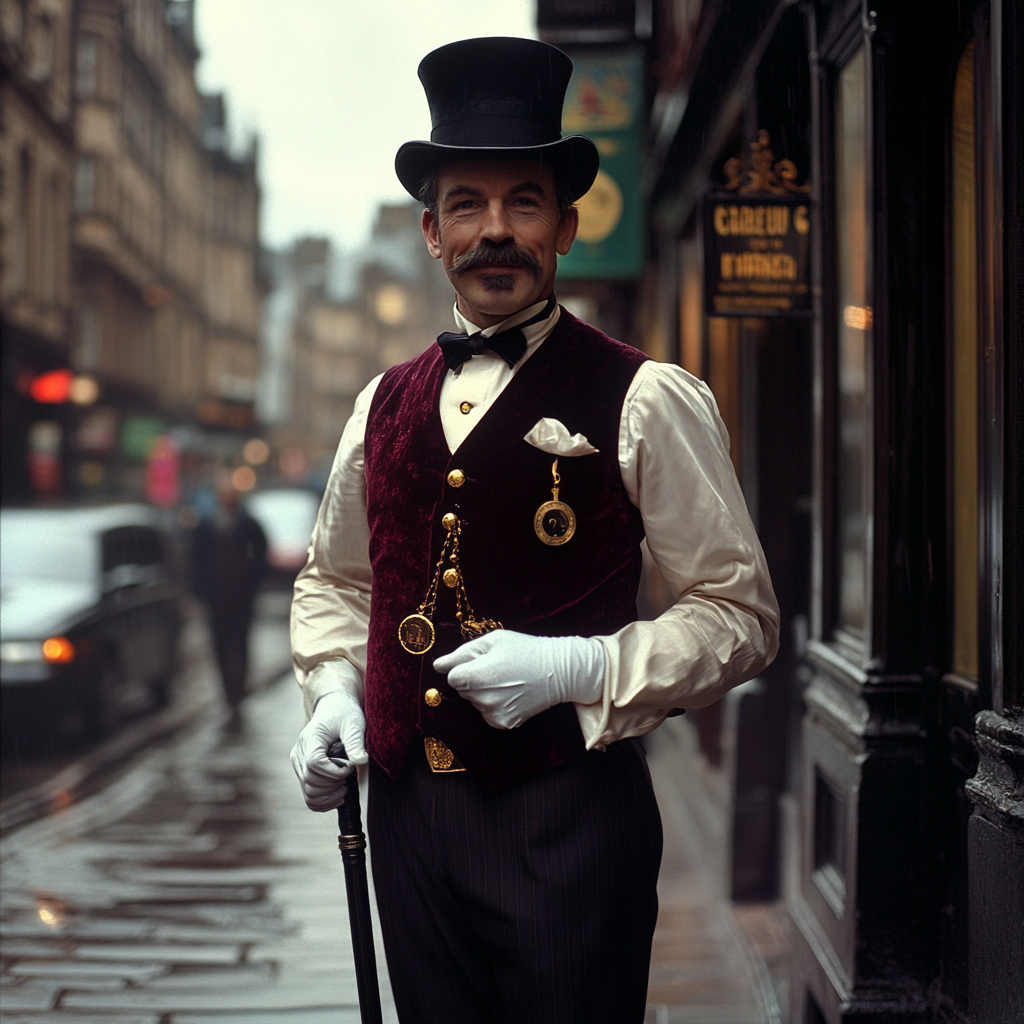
[[674, 458]]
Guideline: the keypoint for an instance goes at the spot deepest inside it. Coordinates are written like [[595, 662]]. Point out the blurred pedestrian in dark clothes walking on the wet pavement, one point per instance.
[[229, 560]]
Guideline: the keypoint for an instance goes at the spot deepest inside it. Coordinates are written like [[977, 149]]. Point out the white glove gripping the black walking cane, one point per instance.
[[337, 716]]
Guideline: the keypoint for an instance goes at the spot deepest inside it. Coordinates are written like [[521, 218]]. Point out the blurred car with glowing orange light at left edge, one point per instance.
[[90, 620]]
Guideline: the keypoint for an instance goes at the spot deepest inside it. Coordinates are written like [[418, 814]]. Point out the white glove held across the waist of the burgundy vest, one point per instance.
[[510, 677]]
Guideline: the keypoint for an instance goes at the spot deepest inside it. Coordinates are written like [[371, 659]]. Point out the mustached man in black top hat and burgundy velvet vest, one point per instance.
[[466, 621]]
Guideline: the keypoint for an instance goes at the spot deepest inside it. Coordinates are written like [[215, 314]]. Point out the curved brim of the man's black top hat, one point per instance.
[[575, 160]]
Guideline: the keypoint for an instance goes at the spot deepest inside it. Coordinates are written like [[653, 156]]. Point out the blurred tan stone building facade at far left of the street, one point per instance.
[[154, 291]]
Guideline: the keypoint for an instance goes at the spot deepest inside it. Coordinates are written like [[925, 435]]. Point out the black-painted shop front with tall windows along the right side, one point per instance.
[[836, 251]]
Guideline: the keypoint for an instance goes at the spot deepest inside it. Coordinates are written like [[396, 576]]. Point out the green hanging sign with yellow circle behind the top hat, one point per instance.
[[604, 103]]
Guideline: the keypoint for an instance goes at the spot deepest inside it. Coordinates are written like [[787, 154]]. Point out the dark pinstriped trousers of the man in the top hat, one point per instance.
[[535, 905]]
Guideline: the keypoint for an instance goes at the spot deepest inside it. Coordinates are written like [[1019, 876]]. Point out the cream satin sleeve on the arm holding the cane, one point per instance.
[[331, 606]]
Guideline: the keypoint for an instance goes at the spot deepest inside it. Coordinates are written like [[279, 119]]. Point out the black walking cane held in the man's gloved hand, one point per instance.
[[354, 854]]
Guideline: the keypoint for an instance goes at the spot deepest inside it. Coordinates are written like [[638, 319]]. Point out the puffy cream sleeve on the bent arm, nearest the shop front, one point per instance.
[[723, 627]]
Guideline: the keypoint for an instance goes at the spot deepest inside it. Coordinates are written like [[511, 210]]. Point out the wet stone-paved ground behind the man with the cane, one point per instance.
[[196, 887]]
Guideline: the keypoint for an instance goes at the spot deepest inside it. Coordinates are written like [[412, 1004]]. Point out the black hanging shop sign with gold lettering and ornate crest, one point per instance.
[[757, 240]]
